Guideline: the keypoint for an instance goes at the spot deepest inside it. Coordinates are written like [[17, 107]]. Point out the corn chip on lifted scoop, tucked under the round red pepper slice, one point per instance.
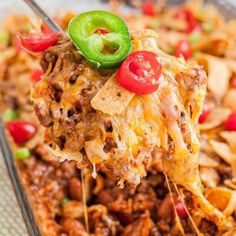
[[112, 99]]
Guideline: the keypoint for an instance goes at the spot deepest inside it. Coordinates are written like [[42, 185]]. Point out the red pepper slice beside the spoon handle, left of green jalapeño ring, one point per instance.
[[37, 42]]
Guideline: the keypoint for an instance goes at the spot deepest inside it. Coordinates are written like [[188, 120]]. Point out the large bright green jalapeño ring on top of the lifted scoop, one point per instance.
[[101, 50]]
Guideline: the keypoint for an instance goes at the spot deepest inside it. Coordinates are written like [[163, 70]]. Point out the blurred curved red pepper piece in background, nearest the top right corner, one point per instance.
[[186, 15]]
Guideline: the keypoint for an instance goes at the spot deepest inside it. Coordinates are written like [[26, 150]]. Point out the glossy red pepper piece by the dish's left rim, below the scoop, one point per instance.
[[21, 130]]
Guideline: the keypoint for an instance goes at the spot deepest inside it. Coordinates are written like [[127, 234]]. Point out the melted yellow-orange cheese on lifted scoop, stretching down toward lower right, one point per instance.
[[142, 123]]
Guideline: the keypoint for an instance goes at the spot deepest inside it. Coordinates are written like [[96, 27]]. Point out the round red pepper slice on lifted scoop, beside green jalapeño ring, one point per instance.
[[140, 73]]
